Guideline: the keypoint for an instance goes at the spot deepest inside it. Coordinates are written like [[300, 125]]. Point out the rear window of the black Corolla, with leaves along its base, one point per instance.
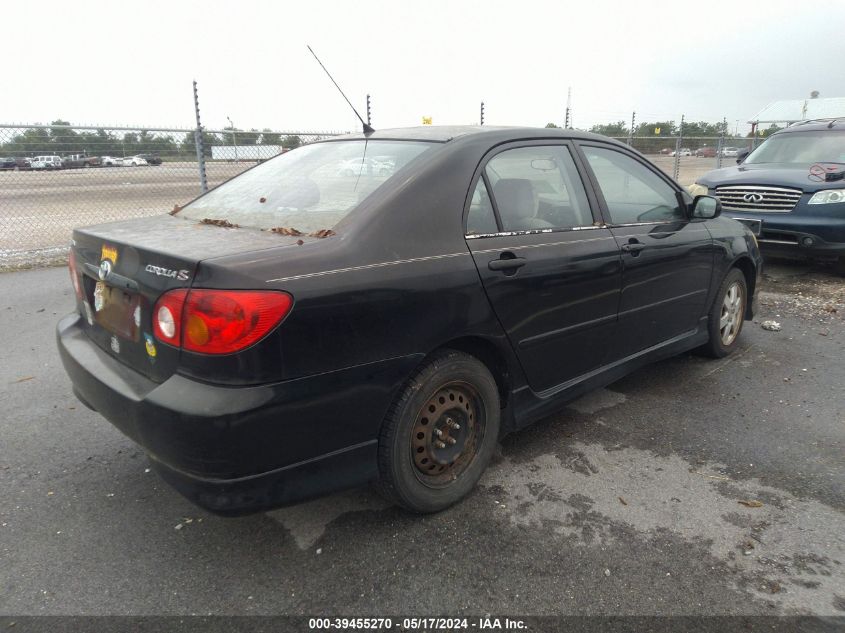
[[309, 189]]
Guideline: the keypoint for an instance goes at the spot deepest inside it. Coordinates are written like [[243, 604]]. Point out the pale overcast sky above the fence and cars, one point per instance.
[[122, 63]]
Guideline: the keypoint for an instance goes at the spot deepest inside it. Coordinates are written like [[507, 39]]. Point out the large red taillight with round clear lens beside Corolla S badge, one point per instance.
[[218, 321]]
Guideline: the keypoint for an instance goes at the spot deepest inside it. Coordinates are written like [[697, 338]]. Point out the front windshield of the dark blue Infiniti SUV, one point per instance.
[[801, 148]]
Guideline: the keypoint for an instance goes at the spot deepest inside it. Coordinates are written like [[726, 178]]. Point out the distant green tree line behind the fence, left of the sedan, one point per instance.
[[54, 139]]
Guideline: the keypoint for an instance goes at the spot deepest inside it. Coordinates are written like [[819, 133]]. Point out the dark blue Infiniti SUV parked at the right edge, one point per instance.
[[790, 191]]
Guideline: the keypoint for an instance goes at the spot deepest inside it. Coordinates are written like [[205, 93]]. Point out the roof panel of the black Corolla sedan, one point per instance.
[[446, 133]]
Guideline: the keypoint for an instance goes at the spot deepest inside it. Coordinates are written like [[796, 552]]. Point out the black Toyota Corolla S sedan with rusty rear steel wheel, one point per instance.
[[300, 329]]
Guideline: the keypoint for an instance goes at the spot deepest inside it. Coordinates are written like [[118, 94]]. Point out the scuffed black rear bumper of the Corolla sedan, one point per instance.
[[235, 450]]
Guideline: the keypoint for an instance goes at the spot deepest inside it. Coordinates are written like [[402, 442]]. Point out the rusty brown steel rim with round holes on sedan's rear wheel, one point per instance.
[[446, 434]]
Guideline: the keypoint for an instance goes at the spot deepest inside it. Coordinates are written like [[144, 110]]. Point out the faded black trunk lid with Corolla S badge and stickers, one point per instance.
[[124, 267]]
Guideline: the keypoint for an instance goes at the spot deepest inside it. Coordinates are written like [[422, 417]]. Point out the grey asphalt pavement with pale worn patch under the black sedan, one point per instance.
[[690, 487]]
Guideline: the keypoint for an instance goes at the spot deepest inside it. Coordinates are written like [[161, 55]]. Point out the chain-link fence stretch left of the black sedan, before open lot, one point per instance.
[[57, 177]]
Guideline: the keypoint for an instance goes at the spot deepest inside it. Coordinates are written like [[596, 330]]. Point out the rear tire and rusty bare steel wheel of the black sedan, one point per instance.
[[416, 473]]
